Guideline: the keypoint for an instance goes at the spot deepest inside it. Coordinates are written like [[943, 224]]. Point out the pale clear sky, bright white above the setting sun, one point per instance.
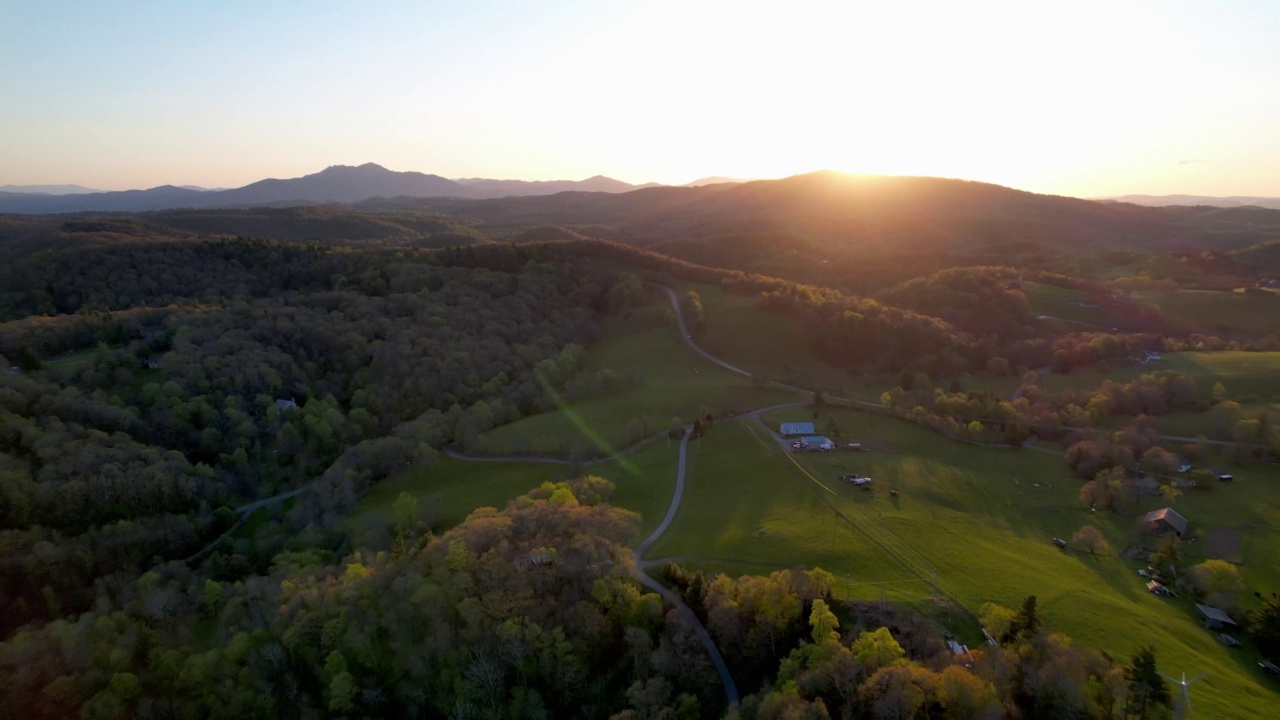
[[1084, 98]]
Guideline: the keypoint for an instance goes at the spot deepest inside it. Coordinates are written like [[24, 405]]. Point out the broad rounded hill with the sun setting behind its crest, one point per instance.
[[871, 216]]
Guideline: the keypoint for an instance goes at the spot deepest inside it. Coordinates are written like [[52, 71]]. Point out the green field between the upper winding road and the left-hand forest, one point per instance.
[[678, 384]]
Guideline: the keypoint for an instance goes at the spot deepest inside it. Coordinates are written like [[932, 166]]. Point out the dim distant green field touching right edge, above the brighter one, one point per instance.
[[1218, 312]]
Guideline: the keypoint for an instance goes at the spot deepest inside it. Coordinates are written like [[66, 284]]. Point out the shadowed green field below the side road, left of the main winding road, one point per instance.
[[452, 489]]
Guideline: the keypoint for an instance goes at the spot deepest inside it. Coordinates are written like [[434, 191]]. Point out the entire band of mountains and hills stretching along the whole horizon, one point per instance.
[[824, 221]]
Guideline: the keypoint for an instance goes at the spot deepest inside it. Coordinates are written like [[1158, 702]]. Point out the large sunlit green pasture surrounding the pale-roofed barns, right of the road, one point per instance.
[[962, 514]]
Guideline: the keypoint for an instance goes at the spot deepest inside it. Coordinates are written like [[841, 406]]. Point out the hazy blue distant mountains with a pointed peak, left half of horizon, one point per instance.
[[337, 184]]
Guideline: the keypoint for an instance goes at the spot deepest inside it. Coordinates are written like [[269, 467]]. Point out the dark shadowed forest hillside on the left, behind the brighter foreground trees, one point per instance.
[[182, 377]]
